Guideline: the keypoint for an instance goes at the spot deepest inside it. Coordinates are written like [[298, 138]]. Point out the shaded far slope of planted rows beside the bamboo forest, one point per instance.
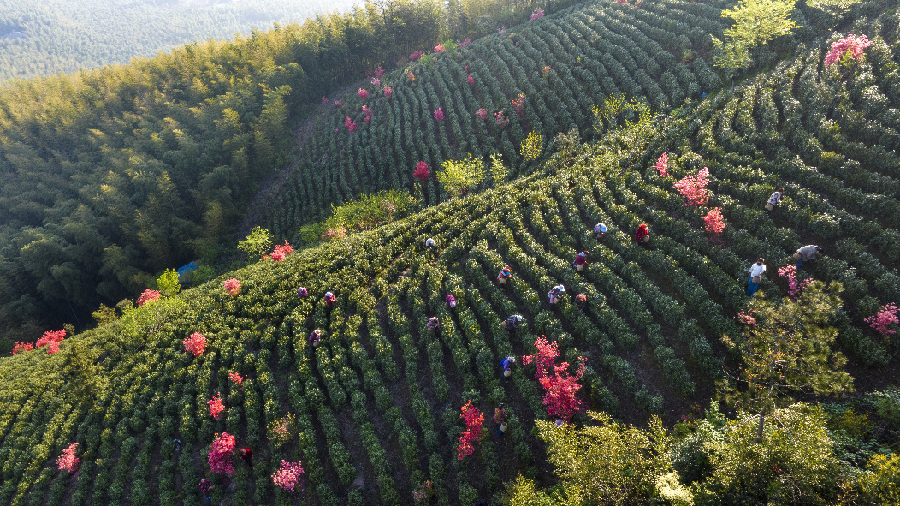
[[557, 67]]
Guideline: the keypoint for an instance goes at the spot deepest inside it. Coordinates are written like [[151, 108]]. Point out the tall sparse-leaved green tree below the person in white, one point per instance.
[[788, 352]]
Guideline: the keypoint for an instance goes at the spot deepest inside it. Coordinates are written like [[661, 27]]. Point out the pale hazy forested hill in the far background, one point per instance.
[[45, 38]]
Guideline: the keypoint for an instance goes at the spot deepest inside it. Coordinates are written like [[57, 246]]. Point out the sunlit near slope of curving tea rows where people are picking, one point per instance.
[[380, 397]]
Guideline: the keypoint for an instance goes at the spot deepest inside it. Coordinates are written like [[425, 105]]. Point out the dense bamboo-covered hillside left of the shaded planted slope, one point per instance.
[[112, 175]]
